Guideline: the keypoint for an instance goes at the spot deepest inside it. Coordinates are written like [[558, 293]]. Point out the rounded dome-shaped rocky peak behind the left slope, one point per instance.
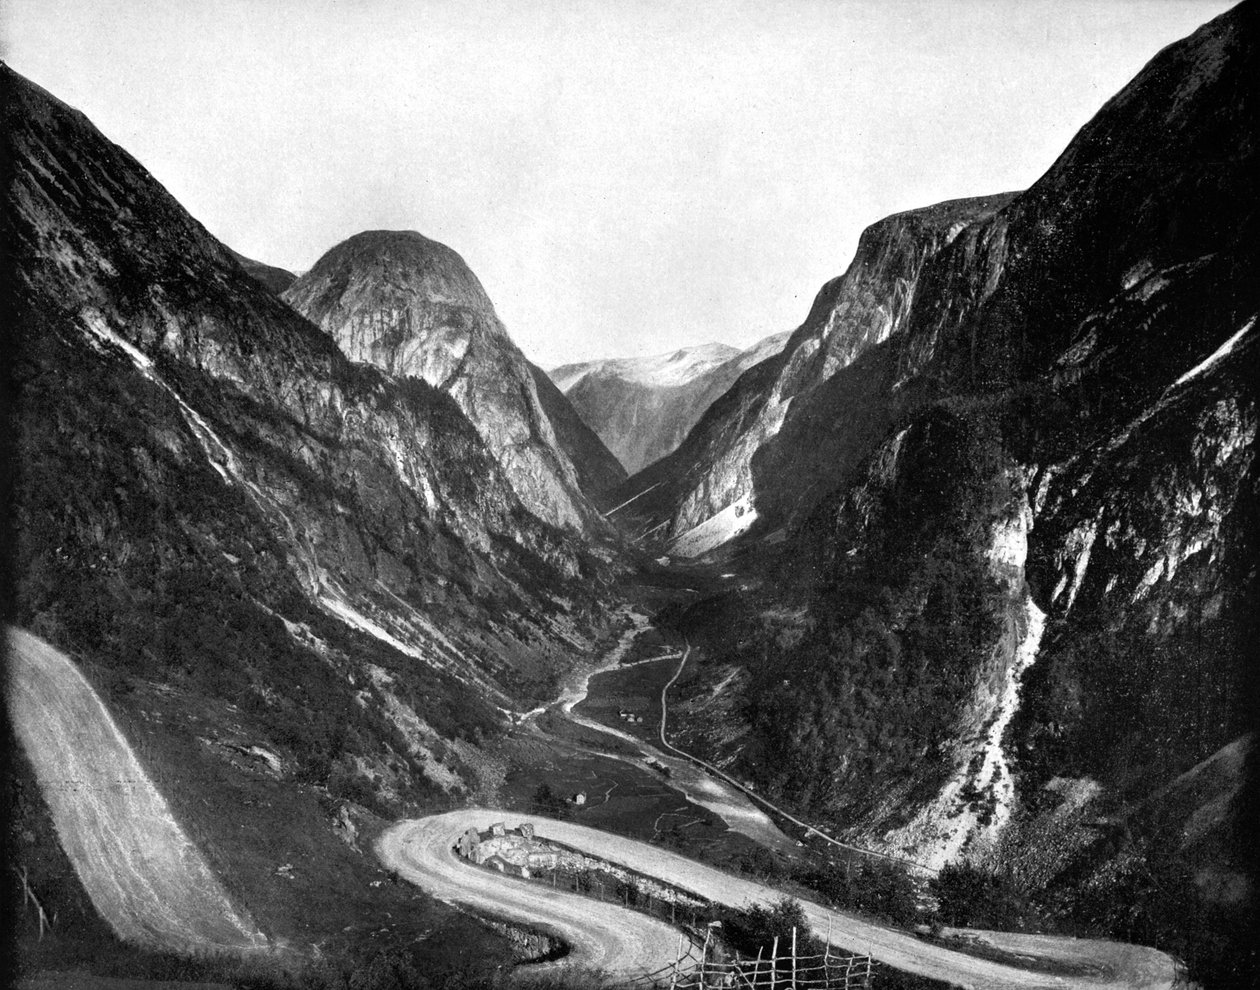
[[413, 308]]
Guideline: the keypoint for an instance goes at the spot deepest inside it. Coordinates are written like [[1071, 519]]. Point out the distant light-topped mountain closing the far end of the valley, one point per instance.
[[644, 407]]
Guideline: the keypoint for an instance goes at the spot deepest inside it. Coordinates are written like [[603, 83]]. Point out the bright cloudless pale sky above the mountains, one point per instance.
[[626, 178]]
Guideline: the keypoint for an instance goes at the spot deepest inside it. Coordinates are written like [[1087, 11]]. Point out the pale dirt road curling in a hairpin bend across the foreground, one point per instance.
[[617, 940]]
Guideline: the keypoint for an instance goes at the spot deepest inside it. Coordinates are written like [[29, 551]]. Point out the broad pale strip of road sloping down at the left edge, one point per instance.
[[146, 877]]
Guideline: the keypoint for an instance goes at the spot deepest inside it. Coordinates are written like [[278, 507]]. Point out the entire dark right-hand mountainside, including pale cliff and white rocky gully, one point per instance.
[[1000, 506]]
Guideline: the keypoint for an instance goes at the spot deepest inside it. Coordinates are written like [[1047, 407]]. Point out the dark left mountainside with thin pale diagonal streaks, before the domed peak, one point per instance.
[[282, 566]]
